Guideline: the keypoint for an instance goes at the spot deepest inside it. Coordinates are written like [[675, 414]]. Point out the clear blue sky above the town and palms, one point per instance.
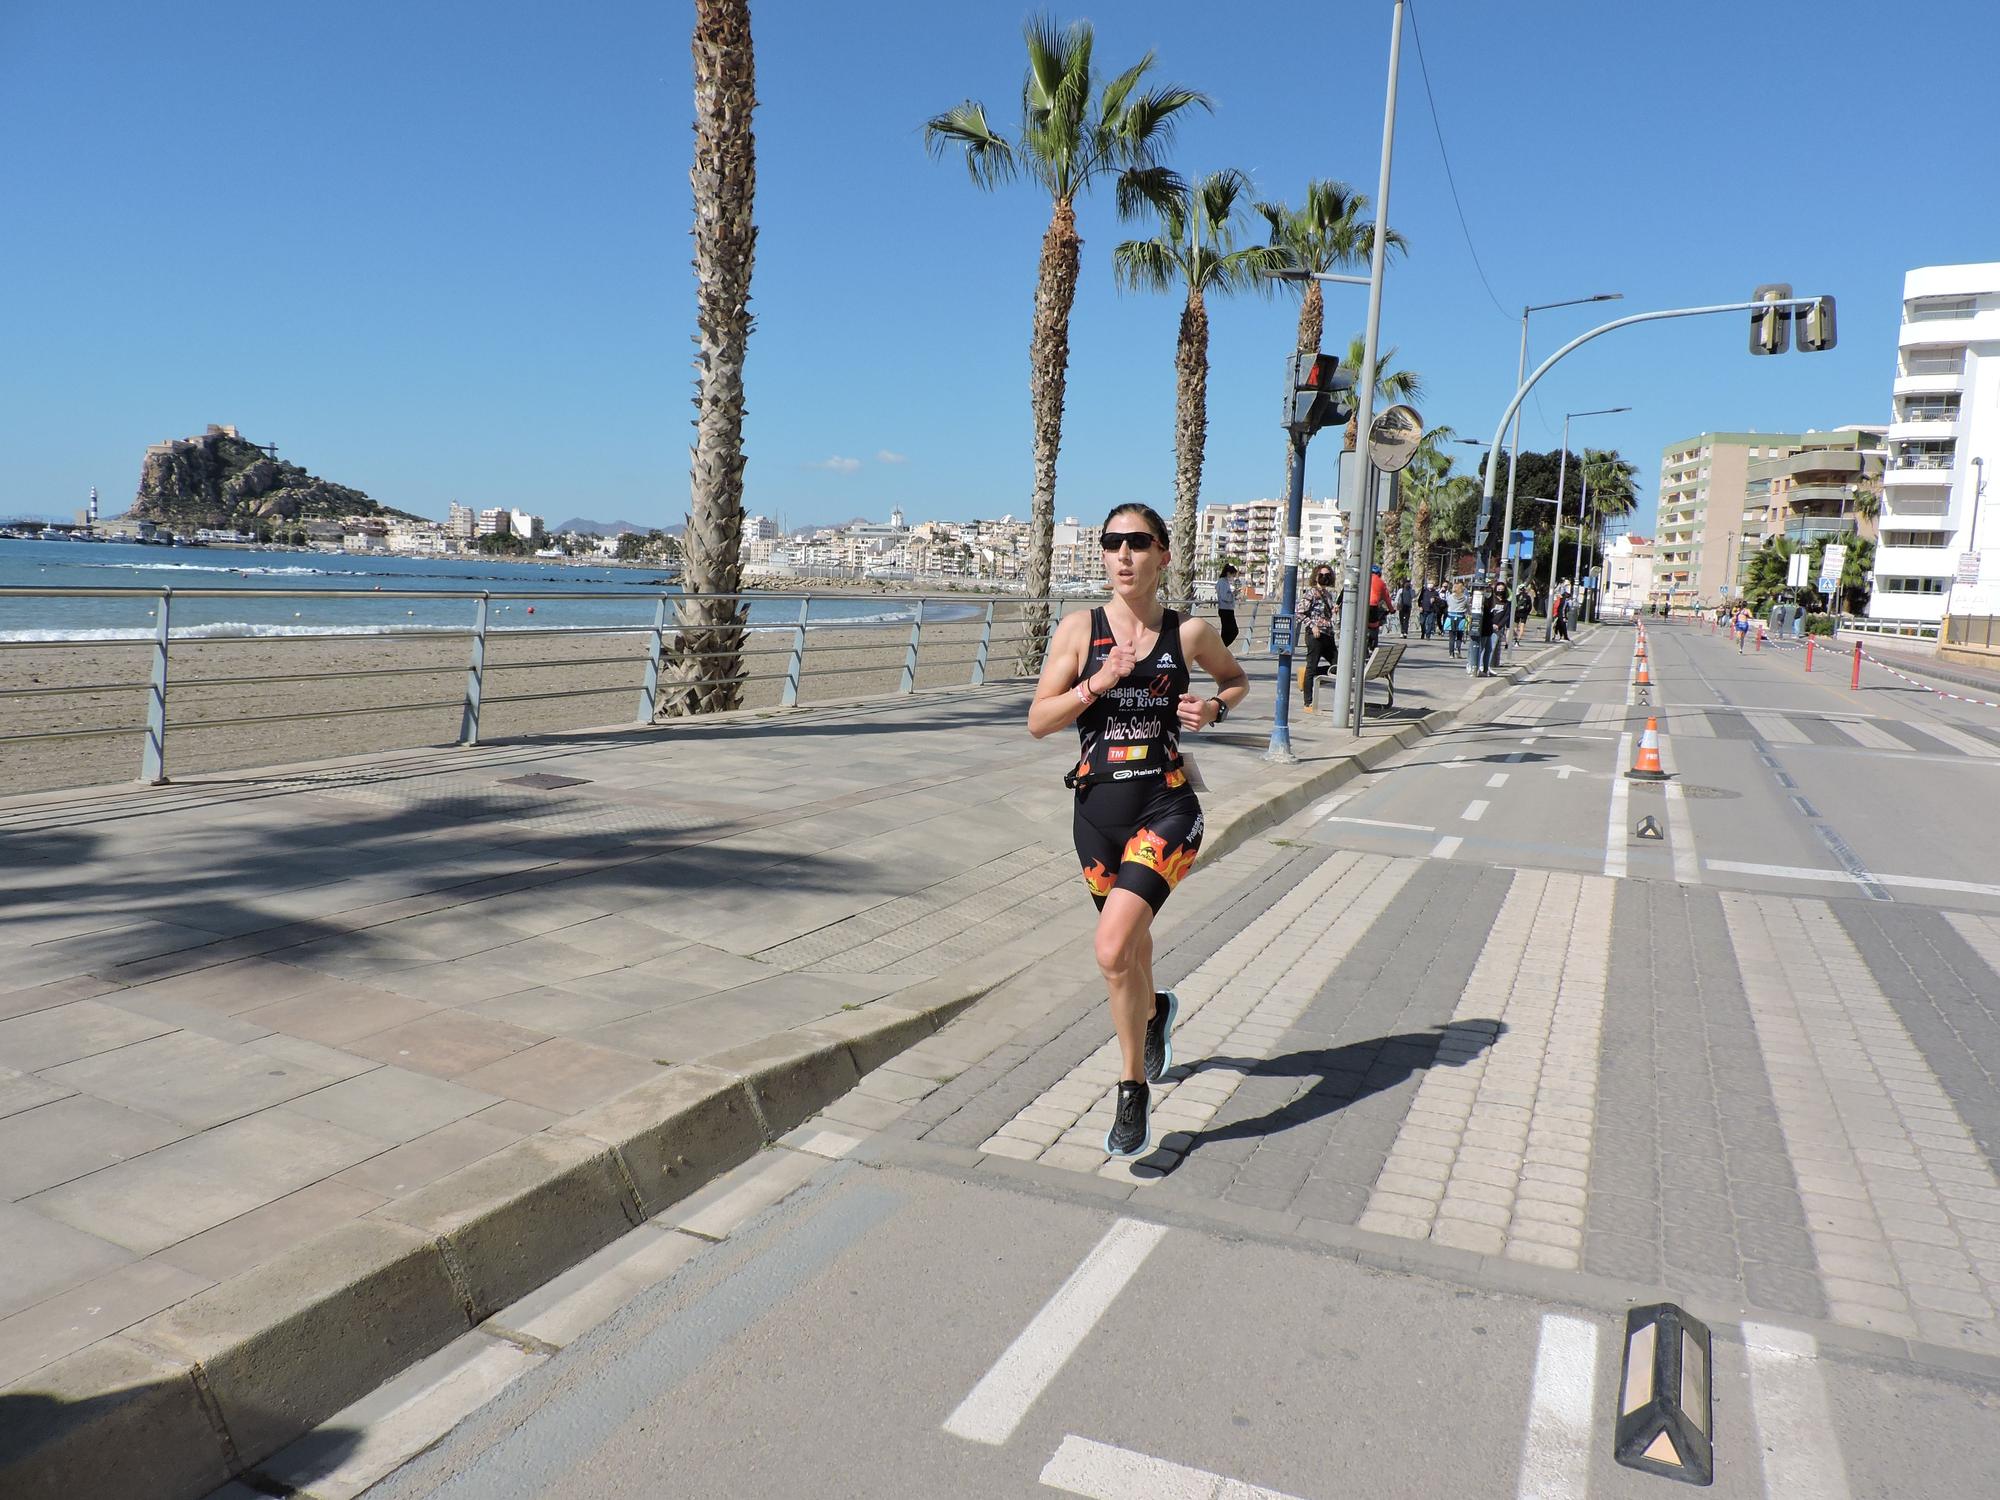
[[441, 251]]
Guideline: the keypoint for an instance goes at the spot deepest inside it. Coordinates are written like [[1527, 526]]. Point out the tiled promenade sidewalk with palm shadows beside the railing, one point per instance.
[[251, 1015]]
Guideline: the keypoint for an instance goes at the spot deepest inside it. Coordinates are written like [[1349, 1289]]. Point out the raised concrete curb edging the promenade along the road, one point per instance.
[[205, 1391]]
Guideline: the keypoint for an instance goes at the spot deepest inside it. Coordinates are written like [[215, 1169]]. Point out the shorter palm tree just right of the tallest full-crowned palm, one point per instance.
[[1195, 249]]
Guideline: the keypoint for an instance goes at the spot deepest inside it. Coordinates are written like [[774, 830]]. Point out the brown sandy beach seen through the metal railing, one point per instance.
[[411, 693]]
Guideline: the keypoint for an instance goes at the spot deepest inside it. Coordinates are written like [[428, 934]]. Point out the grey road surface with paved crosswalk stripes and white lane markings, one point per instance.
[[1465, 1071]]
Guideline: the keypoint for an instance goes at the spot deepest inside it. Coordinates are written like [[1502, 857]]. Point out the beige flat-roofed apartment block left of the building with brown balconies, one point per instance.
[[1709, 523]]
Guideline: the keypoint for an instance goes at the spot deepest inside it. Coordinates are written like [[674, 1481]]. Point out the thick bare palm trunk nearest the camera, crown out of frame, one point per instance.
[[707, 669]]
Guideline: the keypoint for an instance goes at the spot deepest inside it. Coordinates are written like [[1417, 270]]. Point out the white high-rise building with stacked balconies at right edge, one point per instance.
[[1943, 445]]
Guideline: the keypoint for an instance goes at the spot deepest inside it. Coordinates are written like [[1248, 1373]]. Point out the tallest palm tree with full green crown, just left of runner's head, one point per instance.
[[1071, 135]]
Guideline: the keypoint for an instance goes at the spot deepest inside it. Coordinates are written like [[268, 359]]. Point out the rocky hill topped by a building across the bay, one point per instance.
[[221, 479]]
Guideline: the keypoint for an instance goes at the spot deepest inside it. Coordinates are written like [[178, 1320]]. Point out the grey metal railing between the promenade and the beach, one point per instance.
[[1001, 623]]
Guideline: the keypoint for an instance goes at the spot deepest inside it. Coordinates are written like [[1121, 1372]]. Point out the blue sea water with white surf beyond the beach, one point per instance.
[[631, 595]]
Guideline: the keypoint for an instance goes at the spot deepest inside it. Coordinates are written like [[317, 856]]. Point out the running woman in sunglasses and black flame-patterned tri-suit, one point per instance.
[[1121, 677]]
